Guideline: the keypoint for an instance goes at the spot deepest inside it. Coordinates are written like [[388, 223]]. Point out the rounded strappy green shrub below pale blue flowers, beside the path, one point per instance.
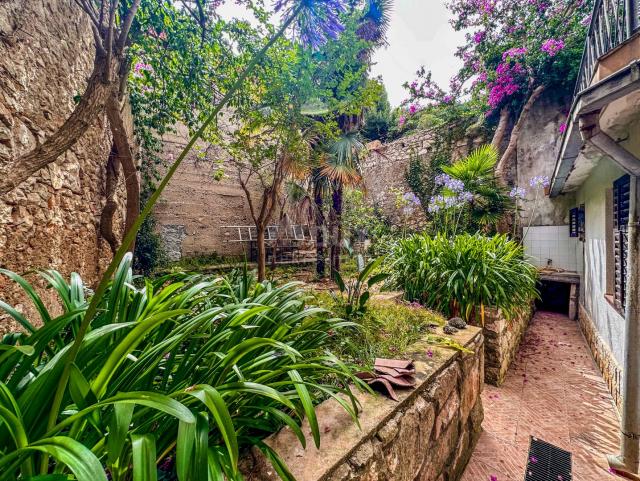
[[462, 275]]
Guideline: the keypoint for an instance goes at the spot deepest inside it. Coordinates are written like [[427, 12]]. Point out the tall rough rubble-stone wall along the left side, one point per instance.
[[50, 220]]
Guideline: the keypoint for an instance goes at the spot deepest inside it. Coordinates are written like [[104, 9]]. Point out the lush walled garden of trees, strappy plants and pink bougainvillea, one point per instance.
[[164, 370]]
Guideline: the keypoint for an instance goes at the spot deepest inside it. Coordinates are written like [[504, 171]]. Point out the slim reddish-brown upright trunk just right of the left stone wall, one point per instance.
[[123, 143]]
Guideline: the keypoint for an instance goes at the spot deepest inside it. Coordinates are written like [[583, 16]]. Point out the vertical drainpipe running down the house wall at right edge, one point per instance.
[[629, 459]]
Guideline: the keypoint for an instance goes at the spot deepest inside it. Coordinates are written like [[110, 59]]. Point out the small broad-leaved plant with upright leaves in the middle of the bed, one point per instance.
[[356, 291]]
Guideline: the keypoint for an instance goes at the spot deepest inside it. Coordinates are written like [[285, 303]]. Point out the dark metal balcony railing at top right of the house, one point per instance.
[[612, 23]]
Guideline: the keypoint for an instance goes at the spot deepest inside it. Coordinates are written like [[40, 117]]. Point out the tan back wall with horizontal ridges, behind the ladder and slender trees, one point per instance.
[[194, 208]]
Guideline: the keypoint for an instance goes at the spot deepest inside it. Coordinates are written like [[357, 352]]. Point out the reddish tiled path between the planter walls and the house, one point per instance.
[[553, 391]]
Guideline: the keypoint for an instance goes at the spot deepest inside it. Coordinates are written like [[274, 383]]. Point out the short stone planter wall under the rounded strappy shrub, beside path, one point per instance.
[[502, 340]]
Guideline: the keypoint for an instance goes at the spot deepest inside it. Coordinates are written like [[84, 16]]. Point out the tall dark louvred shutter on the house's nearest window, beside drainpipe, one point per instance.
[[621, 190]]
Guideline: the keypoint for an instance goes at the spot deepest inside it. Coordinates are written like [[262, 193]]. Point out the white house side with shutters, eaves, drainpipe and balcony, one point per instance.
[[597, 172]]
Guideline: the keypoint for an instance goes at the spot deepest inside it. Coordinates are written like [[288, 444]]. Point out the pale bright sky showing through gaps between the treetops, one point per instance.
[[419, 34]]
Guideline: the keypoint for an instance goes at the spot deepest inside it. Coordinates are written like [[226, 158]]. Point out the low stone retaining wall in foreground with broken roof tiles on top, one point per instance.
[[428, 435]]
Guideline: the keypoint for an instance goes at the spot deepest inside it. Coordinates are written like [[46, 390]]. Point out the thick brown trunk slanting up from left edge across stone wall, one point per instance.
[[91, 105]]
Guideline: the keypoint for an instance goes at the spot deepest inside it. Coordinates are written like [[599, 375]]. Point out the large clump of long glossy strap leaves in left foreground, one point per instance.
[[184, 371]]
